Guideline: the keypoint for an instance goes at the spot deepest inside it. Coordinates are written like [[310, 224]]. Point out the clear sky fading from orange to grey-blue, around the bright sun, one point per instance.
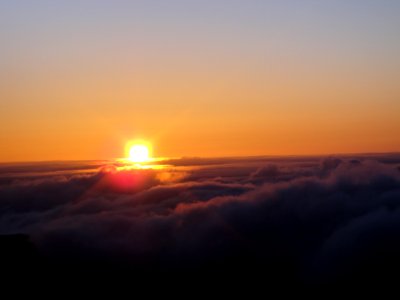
[[78, 79]]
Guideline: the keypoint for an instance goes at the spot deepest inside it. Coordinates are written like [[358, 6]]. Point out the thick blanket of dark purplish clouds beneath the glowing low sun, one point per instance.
[[318, 220]]
